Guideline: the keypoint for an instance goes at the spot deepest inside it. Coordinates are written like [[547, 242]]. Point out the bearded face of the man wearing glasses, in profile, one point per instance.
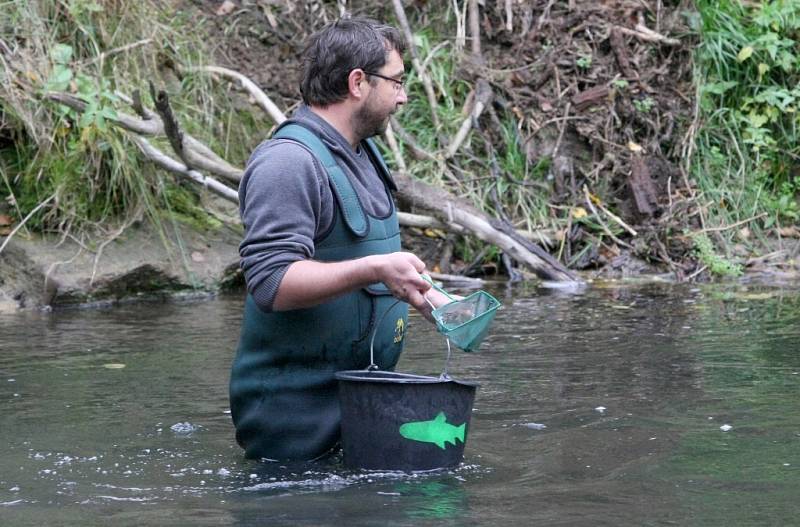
[[383, 98]]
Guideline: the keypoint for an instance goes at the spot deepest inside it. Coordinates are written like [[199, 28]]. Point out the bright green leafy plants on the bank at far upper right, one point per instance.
[[748, 157]]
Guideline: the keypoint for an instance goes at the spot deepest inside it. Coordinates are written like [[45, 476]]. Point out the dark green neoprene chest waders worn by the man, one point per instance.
[[283, 394]]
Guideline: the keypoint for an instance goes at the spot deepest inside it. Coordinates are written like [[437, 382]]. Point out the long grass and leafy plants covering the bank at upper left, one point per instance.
[[95, 50]]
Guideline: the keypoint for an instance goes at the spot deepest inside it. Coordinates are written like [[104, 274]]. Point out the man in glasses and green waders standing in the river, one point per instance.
[[321, 250]]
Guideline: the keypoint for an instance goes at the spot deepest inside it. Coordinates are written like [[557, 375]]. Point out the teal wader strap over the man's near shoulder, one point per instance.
[[351, 207]]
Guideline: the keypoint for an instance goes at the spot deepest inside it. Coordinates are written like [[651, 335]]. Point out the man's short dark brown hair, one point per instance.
[[339, 48]]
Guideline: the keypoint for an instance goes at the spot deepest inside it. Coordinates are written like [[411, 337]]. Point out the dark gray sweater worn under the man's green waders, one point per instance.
[[287, 206]]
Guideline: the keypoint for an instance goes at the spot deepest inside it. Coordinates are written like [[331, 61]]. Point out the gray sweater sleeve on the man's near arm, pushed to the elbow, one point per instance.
[[284, 202]]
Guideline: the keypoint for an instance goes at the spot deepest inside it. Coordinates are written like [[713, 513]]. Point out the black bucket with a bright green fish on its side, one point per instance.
[[399, 421]]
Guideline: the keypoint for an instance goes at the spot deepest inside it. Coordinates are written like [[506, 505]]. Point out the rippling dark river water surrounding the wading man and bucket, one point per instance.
[[620, 404]]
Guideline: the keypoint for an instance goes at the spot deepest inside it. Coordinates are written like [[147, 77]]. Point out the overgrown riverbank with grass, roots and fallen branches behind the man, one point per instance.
[[587, 129]]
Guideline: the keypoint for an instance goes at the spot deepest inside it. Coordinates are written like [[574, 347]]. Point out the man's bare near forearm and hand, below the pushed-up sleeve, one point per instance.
[[307, 283]]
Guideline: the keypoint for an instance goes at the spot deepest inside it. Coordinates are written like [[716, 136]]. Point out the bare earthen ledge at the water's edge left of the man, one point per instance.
[[49, 272]]
